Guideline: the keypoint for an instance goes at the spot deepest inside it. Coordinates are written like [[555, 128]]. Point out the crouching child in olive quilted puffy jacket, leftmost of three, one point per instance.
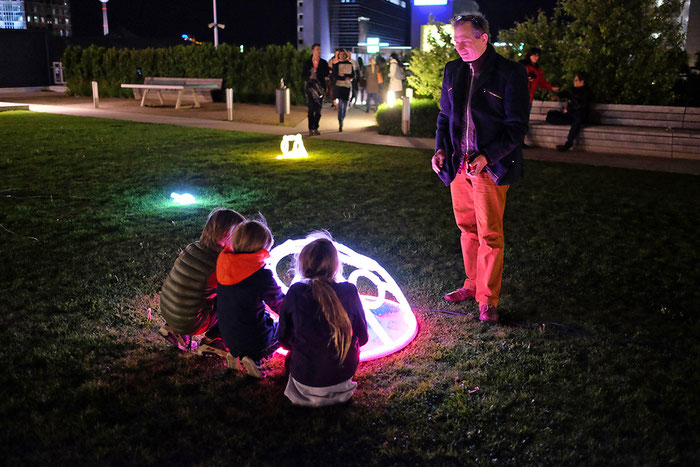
[[188, 296]]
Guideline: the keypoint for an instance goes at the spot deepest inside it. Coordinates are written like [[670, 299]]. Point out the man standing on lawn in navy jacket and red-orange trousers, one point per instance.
[[478, 153]]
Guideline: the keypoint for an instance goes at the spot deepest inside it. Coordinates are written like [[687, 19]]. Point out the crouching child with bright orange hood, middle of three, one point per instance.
[[244, 289]]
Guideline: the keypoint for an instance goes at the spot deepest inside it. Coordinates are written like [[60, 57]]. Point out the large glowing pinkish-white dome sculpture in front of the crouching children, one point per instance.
[[391, 323]]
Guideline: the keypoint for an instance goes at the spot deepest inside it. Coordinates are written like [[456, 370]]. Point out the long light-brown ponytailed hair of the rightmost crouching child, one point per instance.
[[318, 262]]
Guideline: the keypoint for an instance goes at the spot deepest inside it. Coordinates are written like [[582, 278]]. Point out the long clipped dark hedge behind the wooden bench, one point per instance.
[[254, 74]]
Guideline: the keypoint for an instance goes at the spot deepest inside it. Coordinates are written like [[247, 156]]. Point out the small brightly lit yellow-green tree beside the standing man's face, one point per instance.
[[427, 66]]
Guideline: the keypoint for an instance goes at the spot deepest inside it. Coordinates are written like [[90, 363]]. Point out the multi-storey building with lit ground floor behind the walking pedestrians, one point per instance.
[[348, 23]]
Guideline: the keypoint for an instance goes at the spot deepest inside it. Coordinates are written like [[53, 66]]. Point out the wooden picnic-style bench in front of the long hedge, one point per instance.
[[200, 89]]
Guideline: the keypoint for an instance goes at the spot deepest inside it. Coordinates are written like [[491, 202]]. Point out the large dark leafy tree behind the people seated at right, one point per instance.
[[631, 50]]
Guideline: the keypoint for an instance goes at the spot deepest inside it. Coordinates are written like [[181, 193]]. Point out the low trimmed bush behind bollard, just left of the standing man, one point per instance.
[[424, 114]]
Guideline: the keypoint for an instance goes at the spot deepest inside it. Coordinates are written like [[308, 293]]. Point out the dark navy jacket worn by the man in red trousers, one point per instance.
[[499, 109]]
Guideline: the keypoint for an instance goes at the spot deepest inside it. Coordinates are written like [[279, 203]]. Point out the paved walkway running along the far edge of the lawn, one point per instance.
[[359, 126]]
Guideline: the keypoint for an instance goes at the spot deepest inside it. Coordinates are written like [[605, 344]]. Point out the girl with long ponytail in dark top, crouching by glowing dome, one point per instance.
[[323, 325]]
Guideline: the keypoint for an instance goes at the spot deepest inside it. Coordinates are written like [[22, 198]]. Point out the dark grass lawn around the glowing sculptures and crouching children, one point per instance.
[[597, 362]]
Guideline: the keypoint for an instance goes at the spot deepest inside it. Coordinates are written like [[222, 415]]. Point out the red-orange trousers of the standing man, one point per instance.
[[478, 205]]
